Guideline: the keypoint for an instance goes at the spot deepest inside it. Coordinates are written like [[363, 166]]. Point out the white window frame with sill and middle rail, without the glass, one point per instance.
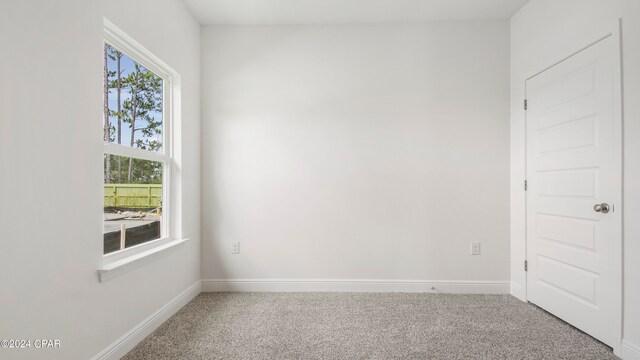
[[119, 261]]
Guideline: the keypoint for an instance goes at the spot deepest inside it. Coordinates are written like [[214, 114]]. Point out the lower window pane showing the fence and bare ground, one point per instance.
[[132, 202]]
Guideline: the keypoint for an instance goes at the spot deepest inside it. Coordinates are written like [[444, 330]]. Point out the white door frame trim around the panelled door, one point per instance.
[[616, 35]]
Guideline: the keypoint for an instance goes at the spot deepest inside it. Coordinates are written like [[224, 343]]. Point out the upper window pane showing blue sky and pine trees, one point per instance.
[[134, 98]]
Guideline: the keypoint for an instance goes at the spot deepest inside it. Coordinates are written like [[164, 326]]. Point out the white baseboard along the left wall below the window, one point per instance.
[[129, 340]]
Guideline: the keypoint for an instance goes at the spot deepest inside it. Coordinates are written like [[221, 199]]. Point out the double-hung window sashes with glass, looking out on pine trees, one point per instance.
[[137, 146]]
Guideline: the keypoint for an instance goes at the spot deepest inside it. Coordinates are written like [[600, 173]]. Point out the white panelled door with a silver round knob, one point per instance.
[[574, 189]]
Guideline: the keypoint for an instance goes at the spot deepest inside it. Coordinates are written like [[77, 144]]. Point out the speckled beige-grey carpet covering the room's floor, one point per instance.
[[365, 326]]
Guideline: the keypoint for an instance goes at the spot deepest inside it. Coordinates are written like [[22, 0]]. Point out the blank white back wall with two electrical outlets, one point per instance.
[[356, 152]]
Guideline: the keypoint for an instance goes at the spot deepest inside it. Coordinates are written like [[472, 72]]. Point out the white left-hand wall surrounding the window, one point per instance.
[[50, 177]]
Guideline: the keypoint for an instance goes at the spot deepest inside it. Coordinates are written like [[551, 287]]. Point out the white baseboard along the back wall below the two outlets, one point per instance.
[[355, 285]]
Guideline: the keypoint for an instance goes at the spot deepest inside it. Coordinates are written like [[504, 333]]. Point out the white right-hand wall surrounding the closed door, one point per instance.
[[542, 33]]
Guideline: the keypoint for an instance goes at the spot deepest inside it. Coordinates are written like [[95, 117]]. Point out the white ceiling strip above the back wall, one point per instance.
[[277, 12]]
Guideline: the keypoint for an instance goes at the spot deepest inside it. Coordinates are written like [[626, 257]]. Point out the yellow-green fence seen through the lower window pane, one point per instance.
[[136, 196]]
